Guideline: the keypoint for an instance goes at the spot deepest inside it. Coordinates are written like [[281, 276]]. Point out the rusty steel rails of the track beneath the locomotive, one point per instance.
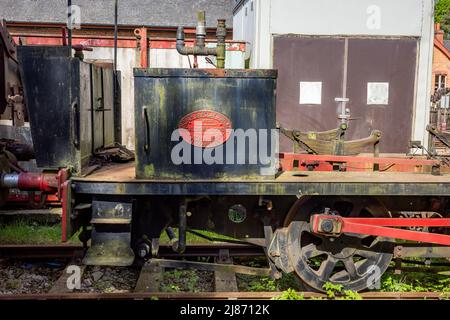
[[72, 251]]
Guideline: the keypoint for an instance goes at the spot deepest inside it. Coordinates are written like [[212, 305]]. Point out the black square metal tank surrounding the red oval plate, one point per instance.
[[164, 96]]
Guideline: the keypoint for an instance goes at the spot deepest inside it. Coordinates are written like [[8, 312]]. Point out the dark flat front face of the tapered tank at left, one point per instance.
[[44, 72]]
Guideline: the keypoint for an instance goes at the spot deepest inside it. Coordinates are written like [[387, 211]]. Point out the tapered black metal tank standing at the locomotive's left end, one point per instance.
[[70, 117]]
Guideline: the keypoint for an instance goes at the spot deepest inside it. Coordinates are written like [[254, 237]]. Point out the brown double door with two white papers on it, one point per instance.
[[376, 75]]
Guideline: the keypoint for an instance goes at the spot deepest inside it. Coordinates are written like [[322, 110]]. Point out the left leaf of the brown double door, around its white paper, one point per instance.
[[307, 59]]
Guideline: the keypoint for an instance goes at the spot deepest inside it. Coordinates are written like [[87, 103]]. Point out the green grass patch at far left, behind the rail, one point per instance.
[[26, 232]]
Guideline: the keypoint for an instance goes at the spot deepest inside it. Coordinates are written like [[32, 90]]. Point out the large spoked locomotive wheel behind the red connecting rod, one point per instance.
[[354, 261]]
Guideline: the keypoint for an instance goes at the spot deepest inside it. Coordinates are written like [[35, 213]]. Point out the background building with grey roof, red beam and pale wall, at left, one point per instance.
[[147, 35]]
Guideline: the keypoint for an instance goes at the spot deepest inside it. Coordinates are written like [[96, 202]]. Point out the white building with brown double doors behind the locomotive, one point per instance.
[[376, 53]]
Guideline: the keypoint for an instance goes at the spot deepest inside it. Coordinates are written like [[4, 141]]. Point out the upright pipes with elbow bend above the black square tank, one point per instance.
[[199, 49]]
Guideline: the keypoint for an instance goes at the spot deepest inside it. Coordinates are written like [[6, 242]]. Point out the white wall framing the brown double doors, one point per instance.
[[397, 18]]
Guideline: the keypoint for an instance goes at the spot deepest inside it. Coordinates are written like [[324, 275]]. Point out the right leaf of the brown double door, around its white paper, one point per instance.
[[390, 61]]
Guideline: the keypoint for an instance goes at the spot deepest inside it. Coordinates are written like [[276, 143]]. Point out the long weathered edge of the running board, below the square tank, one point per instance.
[[269, 188]]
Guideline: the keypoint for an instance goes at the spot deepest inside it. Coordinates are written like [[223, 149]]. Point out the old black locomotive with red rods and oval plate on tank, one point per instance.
[[206, 158]]
